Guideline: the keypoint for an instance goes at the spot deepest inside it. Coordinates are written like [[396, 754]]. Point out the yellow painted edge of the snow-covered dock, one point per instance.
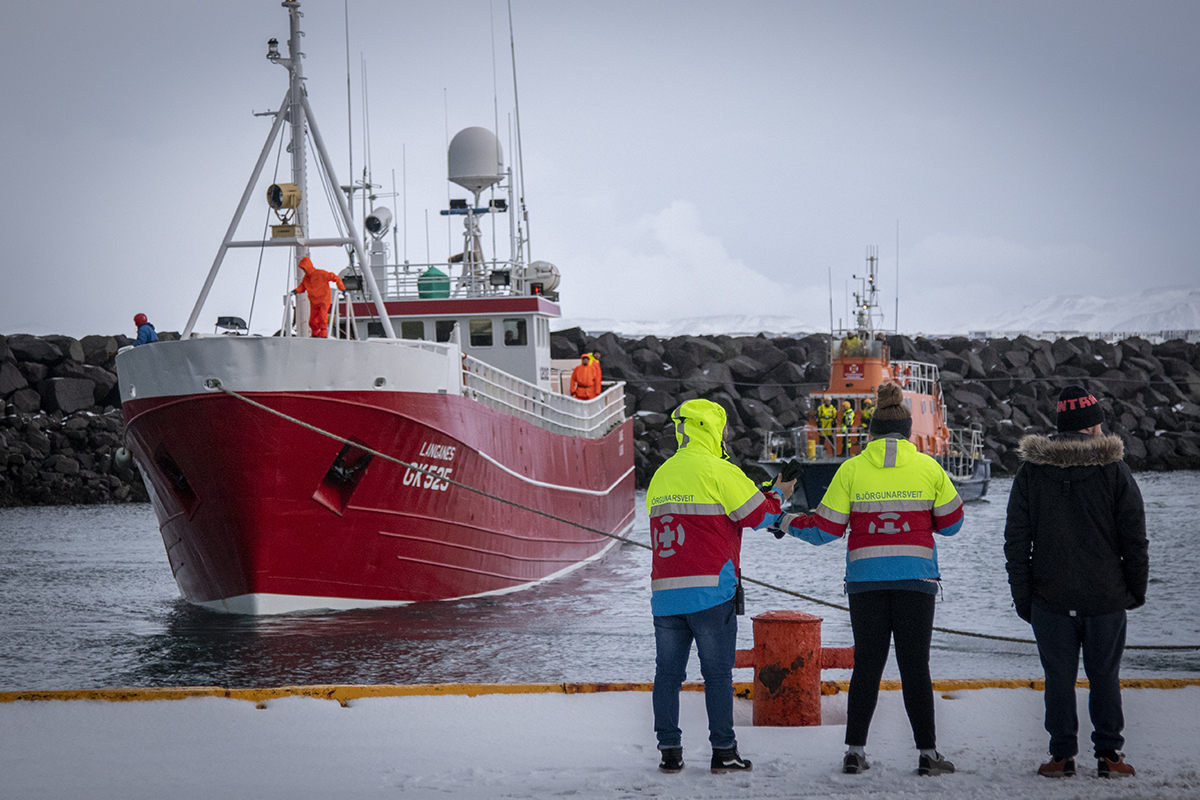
[[344, 694]]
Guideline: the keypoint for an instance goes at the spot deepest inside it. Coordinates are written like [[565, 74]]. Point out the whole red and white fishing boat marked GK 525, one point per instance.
[[423, 452]]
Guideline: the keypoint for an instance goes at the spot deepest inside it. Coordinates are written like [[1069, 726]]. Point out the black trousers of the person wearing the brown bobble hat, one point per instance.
[[877, 618]]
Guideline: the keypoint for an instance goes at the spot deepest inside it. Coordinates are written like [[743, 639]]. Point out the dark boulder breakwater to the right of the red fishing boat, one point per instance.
[[1009, 388]]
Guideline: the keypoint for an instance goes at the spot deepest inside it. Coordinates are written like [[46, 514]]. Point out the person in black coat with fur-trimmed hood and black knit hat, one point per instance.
[[1077, 556]]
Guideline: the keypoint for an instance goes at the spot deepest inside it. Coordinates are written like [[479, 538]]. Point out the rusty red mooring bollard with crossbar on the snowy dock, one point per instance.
[[788, 660]]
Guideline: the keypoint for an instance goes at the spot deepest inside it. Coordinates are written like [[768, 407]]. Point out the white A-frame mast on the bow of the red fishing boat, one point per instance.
[[298, 113]]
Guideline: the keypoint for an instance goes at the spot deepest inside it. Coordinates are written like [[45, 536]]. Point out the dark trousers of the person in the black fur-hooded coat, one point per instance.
[[1060, 641]]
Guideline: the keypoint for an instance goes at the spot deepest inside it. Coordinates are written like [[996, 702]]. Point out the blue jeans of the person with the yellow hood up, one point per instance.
[[716, 631]]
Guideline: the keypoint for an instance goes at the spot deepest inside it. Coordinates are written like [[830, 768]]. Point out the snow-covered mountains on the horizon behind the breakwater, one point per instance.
[[1151, 311]]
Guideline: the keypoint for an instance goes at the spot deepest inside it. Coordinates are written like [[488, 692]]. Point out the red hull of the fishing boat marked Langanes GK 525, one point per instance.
[[249, 506]]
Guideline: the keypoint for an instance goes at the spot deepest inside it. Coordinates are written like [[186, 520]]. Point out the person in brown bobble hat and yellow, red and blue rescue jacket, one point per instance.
[[889, 502]]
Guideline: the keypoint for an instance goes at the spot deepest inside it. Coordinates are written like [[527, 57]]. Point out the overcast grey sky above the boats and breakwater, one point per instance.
[[681, 159]]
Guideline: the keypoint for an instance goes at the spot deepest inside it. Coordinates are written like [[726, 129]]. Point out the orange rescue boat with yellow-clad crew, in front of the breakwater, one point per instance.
[[860, 363]]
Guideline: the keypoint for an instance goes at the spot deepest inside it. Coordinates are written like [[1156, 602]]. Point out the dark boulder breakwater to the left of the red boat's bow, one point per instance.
[[62, 423]]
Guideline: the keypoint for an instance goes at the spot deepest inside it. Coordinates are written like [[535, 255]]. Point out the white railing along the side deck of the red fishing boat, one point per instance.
[[542, 407]]
